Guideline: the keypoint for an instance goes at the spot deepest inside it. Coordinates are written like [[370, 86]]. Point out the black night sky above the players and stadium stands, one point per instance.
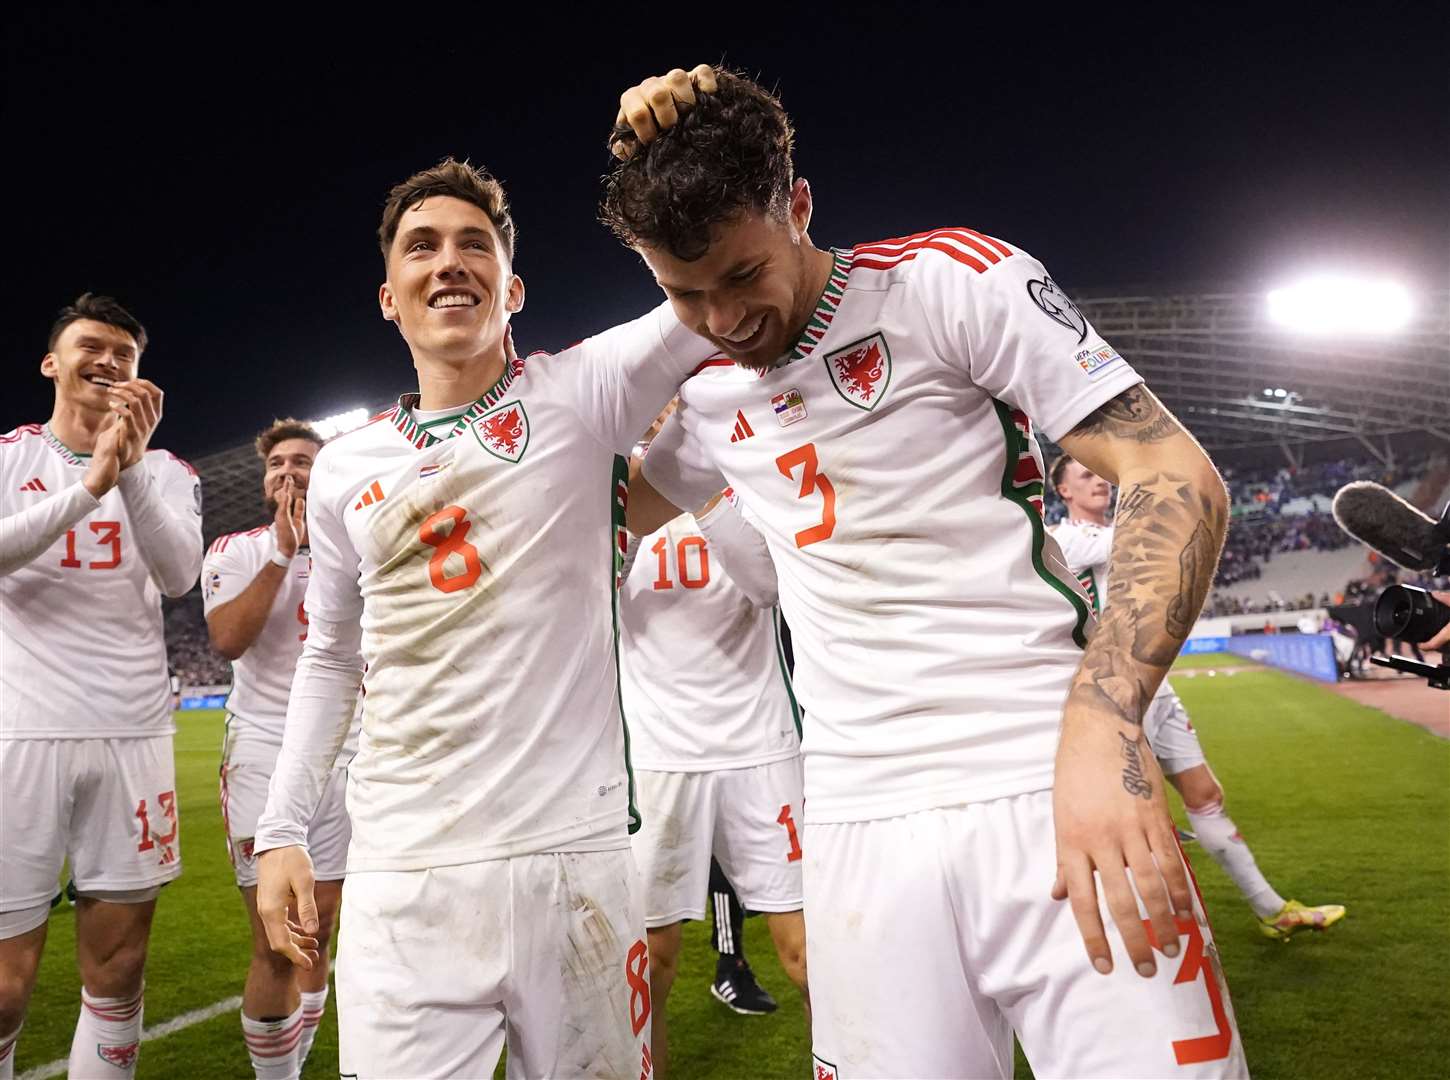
[[224, 179]]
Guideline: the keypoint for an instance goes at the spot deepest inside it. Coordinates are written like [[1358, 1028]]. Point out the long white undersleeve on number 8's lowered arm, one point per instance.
[[330, 672]]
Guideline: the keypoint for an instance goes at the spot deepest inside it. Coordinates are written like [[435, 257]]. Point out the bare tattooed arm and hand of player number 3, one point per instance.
[[1110, 807]]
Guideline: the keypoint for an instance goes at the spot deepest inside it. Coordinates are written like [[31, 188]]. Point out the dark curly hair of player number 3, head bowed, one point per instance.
[[729, 156]]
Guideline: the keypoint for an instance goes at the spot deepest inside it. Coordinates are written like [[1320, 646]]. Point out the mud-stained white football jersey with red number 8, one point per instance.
[[482, 566]]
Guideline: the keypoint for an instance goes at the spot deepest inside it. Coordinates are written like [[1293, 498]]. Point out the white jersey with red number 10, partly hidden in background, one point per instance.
[[703, 673]]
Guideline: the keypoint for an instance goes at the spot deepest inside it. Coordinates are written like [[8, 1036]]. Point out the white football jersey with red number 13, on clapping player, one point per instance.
[[82, 646]]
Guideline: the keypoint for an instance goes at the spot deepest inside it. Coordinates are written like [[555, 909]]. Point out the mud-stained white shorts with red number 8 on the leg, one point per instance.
[[439, 969]]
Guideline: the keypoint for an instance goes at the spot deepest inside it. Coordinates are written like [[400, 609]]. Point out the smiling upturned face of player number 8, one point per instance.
[[450, 285]]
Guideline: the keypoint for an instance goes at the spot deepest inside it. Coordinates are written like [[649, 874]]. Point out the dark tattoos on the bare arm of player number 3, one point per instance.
[[1165, 549]]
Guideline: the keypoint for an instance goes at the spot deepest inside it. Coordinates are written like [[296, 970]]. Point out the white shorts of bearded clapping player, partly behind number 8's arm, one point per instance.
[[247, 768]]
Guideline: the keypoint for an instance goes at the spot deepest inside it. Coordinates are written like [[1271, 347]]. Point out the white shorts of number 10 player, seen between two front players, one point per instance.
[[747, 818]]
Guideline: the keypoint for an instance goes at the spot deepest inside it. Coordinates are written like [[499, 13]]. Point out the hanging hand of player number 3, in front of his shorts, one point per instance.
[[1113, 818]]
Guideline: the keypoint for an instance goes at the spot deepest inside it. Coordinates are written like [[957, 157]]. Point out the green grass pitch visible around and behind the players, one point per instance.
[[1339, 802]]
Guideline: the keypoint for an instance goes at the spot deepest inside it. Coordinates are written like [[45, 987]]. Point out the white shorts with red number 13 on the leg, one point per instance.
[[107, 805]]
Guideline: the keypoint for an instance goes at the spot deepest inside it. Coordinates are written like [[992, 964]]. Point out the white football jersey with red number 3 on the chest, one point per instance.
[[891, 466]]
